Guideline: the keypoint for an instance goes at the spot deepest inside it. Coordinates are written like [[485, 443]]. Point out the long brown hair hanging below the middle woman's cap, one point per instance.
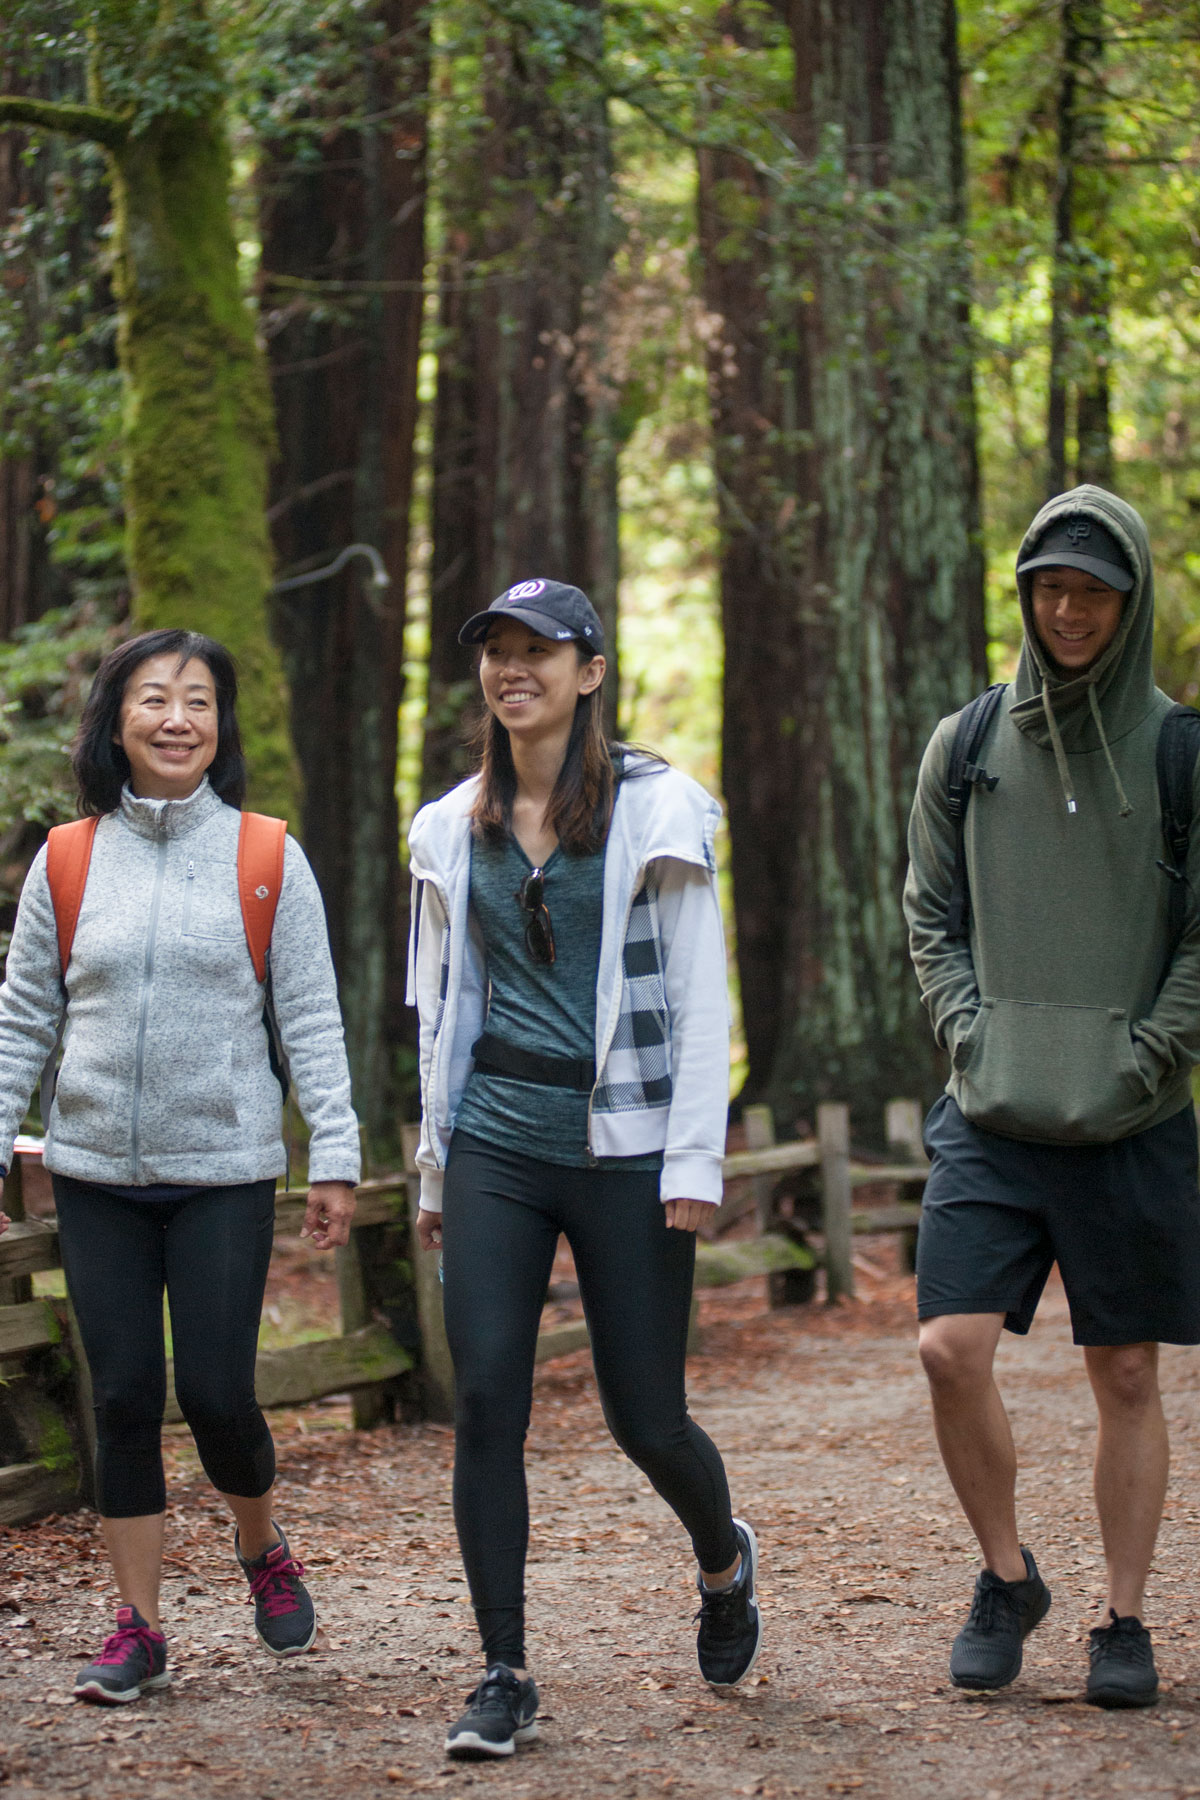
[[584, 795]]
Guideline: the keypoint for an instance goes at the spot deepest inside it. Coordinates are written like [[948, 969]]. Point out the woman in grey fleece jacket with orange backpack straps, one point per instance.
[[165, 1138]]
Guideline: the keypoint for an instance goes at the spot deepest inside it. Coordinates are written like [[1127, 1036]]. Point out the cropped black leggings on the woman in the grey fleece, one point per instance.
[[211, 1254]]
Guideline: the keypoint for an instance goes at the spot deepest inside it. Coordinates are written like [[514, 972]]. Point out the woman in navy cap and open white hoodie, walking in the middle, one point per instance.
[[569, 971]]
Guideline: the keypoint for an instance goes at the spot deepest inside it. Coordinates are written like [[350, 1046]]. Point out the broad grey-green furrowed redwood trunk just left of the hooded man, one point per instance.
[[886, 629]]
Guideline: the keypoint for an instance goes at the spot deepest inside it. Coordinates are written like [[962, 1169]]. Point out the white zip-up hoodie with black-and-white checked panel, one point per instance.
[[663, 958]]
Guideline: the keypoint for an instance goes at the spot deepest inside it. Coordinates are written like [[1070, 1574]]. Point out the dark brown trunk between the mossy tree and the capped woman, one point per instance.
[[343, 256]]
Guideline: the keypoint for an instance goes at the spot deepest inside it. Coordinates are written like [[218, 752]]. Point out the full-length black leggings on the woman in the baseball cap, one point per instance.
[[501, 1223]]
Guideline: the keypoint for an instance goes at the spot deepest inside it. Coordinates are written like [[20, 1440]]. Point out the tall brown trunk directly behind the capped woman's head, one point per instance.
[[524, 449]]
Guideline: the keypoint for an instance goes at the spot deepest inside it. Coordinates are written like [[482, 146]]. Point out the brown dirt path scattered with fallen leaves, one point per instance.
[[866, 1574]]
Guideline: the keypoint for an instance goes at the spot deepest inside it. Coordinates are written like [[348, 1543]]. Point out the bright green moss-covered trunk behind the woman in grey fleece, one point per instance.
[[199, 417]]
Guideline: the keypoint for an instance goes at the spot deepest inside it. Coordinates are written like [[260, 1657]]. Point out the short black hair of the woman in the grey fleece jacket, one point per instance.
[[103, 768]]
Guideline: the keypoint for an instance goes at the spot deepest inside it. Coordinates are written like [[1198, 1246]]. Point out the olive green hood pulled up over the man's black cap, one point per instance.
[[1120, 687]]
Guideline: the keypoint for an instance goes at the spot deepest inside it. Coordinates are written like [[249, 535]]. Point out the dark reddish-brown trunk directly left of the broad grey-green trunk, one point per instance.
[[762, 440]]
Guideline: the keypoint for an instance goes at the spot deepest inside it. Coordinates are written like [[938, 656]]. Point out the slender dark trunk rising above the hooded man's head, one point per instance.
[[1082, 282]]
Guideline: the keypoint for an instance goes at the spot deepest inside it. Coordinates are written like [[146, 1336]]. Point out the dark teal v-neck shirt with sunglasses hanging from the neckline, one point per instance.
[[548, 1009]]
